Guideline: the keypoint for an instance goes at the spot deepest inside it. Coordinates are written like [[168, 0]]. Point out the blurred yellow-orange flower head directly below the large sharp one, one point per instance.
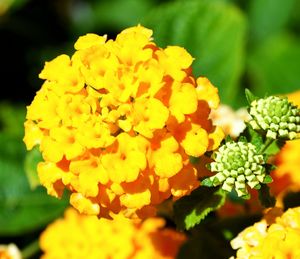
[[81, 236]]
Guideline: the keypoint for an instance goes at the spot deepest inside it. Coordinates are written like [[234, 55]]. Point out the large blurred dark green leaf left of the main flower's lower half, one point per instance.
[[21, 209]]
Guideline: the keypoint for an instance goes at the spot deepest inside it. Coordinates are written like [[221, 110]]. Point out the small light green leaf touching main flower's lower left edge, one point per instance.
[[33, 157]]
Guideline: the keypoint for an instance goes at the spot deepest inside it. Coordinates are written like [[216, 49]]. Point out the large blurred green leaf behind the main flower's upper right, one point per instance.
[[212, 31]]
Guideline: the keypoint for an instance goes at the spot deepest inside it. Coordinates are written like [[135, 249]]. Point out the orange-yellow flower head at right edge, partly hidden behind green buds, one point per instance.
[[286, 175]]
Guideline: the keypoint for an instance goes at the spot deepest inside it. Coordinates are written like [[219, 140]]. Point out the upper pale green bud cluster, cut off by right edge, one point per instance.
[[277, 116]]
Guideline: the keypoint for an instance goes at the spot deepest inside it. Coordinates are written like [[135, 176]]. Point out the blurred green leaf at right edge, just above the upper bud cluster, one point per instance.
[[274, 66]]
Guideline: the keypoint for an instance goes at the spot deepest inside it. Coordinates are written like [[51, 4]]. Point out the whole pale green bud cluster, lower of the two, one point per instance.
[[237, 164]]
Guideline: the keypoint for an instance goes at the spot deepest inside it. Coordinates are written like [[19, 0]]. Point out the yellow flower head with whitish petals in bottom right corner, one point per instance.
[[279, 239]]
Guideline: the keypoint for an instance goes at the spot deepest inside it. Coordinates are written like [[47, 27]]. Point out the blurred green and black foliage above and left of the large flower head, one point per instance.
[[235, 43]]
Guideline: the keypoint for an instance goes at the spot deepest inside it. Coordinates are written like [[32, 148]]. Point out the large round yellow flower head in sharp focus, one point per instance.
[[117, 121]]
